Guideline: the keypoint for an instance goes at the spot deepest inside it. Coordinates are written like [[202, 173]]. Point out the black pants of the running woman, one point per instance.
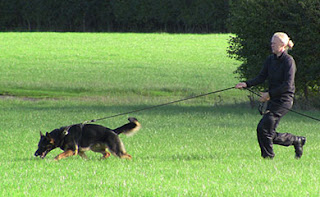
[[266, 130]]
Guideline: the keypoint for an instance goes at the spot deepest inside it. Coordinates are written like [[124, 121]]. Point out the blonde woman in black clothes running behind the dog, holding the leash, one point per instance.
[[279, 69]]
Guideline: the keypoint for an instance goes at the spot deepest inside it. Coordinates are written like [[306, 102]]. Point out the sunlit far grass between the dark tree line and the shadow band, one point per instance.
[[73, 64]]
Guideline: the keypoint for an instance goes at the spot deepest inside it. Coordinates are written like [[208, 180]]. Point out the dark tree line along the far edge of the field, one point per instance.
[[192, 16]]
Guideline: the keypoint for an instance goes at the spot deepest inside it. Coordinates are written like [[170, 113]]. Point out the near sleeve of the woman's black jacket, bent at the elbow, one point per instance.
[[287, 86]]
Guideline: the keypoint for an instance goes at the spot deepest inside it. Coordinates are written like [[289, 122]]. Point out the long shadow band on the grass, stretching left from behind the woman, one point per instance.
[[83, 111]]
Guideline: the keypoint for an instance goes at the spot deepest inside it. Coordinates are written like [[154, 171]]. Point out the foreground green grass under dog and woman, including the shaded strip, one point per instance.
[[188, 150]]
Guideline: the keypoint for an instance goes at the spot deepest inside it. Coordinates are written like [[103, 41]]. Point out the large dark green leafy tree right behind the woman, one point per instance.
[[254, 21]]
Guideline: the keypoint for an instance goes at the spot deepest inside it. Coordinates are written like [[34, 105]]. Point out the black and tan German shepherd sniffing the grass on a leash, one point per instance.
[[78, 138]]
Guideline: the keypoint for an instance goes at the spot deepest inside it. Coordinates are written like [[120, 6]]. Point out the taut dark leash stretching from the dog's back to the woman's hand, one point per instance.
[[156, 106]]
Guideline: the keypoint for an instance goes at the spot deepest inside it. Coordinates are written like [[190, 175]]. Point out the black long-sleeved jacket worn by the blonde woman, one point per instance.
[[280, 72]]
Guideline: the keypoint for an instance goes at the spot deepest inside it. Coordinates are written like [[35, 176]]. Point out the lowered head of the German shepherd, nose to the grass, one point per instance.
[[46, 144]]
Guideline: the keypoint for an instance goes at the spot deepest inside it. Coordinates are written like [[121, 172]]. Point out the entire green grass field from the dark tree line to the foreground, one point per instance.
[[202, 147]]
